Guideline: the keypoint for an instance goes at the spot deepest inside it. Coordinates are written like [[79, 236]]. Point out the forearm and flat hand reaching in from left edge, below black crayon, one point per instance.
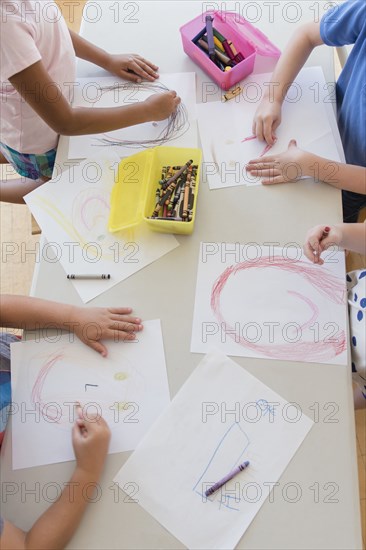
[[91, 325]]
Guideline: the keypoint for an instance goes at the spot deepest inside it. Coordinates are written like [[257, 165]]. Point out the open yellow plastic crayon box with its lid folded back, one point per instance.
[[133, 197]]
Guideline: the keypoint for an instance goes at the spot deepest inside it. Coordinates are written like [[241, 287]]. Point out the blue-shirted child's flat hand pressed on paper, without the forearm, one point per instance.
[[287, 166]]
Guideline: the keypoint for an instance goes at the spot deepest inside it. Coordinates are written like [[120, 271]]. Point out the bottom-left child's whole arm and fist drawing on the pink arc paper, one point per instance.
[[57, 525]]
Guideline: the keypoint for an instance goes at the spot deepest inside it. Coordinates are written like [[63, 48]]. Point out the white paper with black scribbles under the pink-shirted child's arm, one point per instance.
[[96, 94]]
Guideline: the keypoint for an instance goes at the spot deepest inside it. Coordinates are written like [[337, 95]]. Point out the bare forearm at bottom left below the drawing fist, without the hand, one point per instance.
[[56, 526]]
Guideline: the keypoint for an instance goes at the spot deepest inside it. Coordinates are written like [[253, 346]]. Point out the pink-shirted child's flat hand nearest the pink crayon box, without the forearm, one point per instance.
[[132, 67]]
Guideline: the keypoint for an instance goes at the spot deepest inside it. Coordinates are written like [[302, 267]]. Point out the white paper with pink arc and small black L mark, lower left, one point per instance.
[[129, 388]]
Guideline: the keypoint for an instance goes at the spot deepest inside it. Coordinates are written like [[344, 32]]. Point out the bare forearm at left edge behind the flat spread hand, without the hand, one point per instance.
[[28, 313]]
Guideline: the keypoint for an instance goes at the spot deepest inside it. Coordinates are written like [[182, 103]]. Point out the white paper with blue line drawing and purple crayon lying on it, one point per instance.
[[194, 444]]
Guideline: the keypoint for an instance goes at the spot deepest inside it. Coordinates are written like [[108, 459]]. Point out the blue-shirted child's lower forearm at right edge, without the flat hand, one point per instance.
[[343, 176]]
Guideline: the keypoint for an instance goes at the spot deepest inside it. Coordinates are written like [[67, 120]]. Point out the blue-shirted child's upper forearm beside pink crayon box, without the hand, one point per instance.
[[292, 60]]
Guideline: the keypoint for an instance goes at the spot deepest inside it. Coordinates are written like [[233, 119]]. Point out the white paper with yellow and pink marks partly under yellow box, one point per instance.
[[73, 212]]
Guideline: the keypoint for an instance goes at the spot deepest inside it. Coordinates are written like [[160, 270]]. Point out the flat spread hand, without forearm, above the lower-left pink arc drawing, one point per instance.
[[92, 325]]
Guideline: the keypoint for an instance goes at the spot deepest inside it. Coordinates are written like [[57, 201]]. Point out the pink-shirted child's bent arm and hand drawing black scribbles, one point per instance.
[[34, 83]]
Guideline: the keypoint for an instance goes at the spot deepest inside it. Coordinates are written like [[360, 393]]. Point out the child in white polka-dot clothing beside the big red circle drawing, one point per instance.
[[352, 237]]
